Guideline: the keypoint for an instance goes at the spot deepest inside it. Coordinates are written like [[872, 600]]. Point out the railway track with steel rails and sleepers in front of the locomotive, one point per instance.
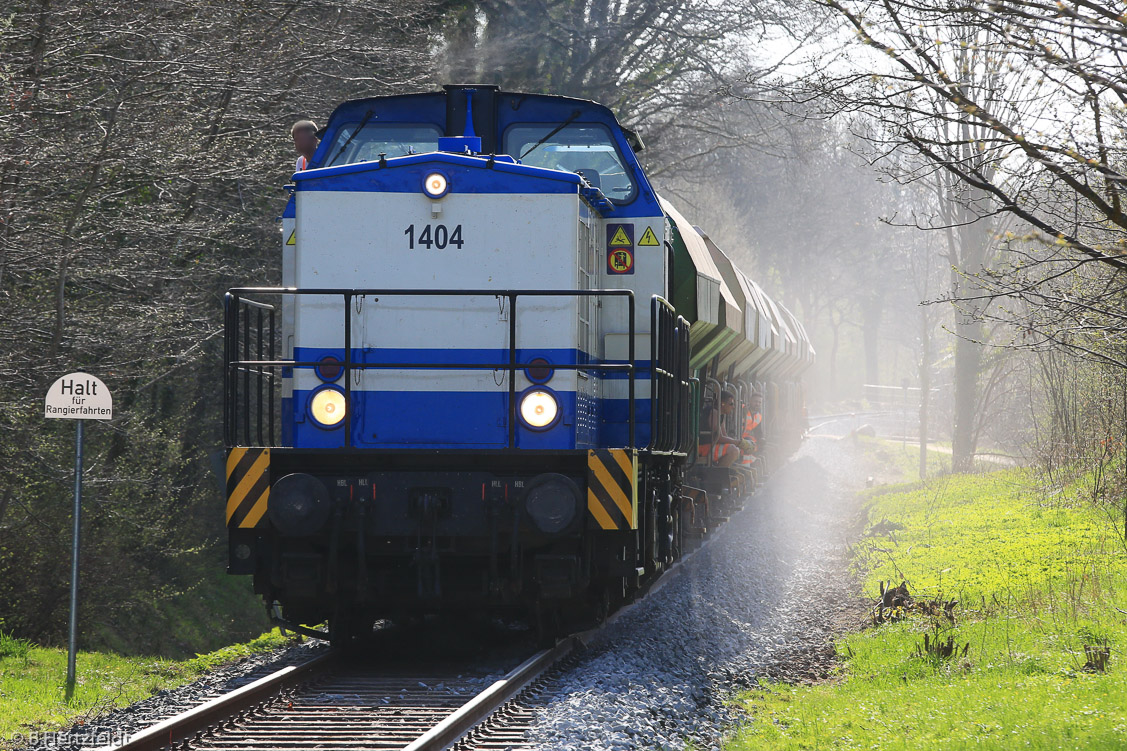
[[332, 704]]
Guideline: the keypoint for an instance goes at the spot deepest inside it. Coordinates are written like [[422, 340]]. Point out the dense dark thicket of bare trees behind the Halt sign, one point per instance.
[[143, 152]]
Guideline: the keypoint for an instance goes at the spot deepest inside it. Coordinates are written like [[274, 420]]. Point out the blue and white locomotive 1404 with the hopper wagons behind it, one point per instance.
[[478, 386]]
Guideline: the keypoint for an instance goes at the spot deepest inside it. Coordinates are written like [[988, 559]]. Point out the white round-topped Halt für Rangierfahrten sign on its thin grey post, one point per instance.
[[79, 397]]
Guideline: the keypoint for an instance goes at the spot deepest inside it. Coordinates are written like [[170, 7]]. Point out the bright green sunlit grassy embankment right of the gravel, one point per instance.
[[1039, 580]]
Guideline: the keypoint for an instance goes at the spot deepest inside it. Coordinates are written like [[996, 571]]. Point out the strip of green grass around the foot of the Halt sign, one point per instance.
[[33, 683]]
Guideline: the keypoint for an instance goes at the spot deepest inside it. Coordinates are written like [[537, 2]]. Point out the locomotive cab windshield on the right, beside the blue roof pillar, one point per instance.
[[578, 148]]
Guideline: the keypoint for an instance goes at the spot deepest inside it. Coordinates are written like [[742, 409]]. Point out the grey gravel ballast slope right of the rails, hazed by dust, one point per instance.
[[764, 599]]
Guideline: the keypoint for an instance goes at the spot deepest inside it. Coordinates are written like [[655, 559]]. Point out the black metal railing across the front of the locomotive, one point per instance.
[[252, 366]]
